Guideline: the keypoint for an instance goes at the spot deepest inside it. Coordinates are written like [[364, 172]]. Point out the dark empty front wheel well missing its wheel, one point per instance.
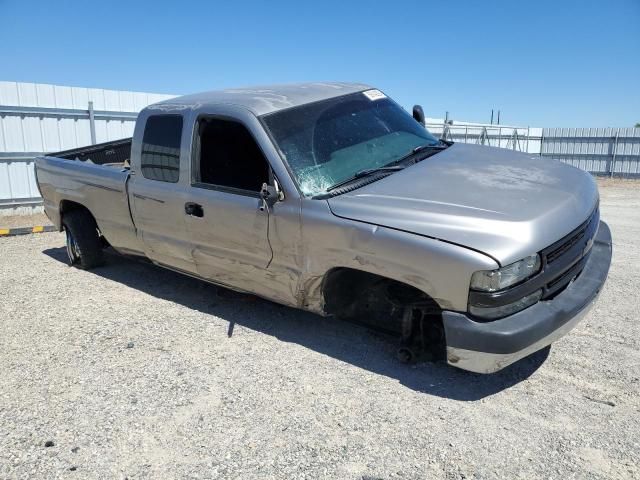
[[373, 299]]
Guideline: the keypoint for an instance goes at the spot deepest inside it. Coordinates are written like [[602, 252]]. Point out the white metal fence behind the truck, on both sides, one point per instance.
[[37, 118]]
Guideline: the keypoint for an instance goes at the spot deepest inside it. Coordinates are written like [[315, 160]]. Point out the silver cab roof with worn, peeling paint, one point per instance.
[[265, 99]]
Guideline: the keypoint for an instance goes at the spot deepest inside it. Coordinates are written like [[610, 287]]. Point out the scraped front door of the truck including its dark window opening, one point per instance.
[[226, 218]]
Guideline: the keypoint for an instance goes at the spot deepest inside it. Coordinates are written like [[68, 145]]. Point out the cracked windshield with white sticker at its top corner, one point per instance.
[[328, 142]]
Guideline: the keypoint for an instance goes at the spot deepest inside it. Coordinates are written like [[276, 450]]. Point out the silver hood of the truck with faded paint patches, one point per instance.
[[503, 203]]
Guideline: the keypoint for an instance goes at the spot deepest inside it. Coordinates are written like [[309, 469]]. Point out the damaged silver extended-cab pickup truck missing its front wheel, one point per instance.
[[331, 198]]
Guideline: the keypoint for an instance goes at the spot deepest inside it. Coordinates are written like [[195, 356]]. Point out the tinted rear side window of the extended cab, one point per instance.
[[161, 148]]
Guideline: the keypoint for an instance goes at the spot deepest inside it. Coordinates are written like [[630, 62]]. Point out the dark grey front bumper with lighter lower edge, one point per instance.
[[486, 347]]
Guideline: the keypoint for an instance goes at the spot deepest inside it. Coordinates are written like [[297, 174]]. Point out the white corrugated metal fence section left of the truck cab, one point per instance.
[[29, 131]]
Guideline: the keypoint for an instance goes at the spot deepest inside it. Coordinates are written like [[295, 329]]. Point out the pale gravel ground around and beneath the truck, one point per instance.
[[130, 371]]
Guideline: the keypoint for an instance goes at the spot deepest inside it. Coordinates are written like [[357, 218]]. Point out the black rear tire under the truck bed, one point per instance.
[[84, 246]]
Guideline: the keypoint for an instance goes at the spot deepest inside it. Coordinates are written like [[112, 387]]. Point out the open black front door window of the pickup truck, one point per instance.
[[229, 156]]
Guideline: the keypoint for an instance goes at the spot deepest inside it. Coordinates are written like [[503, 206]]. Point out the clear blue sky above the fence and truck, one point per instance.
[[542, 63]]
